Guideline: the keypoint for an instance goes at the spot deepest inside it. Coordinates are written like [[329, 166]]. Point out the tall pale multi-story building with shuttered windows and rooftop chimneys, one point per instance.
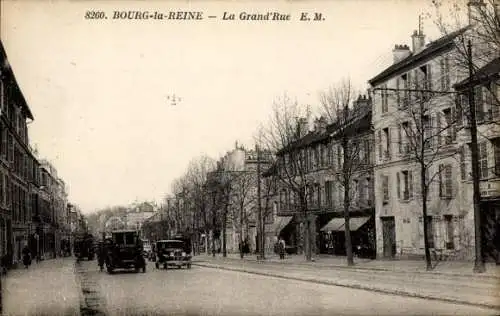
[[416, 118]]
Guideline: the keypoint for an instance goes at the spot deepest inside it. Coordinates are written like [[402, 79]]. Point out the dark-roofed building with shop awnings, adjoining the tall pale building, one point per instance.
[[320, 151]]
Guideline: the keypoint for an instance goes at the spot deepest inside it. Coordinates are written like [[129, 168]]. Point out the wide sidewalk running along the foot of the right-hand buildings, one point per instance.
[[454, 283]]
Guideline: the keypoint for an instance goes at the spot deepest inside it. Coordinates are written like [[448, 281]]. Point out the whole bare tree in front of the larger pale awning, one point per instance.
[[351, 133]]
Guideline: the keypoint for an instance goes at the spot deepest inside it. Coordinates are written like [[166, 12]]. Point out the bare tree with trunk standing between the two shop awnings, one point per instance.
[[287, 125]]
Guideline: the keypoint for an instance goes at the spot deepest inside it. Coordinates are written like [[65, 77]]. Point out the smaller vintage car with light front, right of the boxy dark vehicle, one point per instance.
[[175, 252]]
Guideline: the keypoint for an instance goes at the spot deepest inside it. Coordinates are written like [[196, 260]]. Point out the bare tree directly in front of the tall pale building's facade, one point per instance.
[[427, 129]]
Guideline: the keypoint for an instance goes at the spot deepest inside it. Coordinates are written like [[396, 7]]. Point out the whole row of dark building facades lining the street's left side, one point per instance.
[[28, 198]]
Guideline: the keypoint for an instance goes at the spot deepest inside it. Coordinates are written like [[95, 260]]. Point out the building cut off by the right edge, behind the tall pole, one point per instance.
[[486, 83]]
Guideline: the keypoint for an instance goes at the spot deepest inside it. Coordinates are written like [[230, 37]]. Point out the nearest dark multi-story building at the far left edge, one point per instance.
[[14, 156]]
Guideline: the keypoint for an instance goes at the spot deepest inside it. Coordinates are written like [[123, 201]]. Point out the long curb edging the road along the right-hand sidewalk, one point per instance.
[[354, 286]]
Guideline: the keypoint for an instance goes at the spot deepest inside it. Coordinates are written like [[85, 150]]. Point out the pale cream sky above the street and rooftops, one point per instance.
[[98, 88]]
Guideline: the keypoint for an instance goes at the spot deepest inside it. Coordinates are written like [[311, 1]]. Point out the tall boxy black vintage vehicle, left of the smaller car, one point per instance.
[[125, 251]]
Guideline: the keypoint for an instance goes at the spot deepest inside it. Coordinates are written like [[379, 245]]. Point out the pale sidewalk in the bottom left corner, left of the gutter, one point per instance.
[[45, 288]]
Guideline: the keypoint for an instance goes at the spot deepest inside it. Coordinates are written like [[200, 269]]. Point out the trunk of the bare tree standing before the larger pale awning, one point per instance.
[[347, 202]]
